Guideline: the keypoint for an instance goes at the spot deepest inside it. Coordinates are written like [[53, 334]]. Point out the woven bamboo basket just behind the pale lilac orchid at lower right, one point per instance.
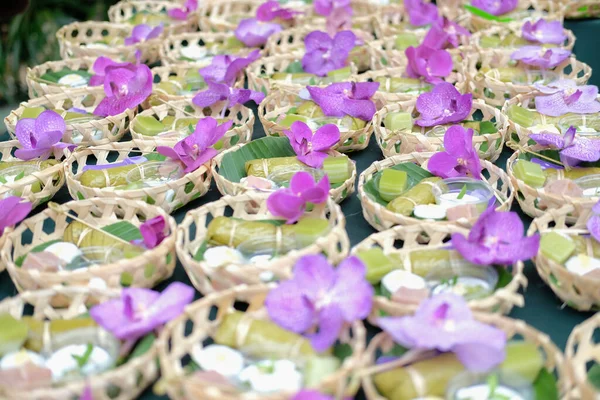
[[435, 236]]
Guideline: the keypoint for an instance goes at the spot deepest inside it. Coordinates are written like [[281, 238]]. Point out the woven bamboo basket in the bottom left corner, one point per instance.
[[128, 380]]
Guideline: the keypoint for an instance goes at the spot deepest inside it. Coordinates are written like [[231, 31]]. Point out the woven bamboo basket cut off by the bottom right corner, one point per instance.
[[581, 351]]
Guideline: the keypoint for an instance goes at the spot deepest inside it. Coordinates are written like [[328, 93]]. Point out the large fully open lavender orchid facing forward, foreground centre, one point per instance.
[[319, 292]]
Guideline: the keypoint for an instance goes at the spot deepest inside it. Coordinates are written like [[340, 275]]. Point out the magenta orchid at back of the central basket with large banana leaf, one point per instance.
[[312, 149]]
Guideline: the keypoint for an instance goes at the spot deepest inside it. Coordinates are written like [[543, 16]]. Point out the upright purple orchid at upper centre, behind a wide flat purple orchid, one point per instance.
[[325, 54]]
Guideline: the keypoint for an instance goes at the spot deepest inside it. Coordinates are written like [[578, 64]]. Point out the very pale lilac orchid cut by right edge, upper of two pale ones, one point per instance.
[[566, 97]]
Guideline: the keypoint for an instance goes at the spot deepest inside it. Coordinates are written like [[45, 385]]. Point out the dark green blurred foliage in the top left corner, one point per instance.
[[27, 36]]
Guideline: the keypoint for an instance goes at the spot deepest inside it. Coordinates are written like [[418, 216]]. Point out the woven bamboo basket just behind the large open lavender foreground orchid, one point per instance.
[[251, 206]]
